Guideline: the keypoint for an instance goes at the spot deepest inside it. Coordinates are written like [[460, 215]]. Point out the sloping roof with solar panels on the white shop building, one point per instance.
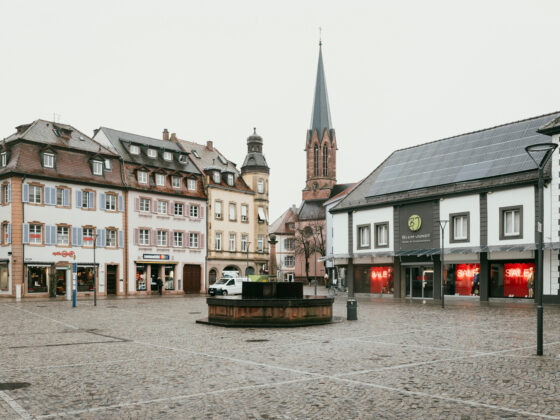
[[480, 157]]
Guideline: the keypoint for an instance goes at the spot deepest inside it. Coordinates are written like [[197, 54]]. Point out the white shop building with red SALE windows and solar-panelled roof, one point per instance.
[[387, 231]]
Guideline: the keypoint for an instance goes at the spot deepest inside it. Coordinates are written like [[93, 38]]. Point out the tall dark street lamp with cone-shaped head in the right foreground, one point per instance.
[[540, 154]]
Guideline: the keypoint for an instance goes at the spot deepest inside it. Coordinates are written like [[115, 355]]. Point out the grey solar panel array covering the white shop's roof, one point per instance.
[[489, 153]]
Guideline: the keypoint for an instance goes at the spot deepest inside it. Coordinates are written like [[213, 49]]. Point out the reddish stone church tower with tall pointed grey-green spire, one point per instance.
[[320, 144]]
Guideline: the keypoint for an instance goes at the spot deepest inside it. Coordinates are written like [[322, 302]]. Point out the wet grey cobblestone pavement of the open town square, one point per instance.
[[147, 359]]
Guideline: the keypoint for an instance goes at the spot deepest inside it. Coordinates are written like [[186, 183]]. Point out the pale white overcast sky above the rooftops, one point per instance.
[[399, 73]]
